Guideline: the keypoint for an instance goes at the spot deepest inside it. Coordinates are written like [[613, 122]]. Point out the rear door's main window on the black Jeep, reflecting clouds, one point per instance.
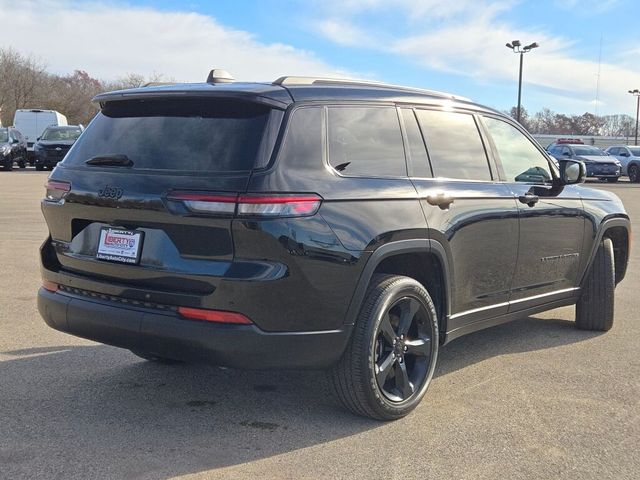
[[454, 145]]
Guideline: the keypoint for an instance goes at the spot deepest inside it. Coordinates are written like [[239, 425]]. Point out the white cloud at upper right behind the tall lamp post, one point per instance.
[[471, 43]]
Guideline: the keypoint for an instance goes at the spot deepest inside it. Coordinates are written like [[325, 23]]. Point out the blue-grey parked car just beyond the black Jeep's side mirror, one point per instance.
[[599, 164]]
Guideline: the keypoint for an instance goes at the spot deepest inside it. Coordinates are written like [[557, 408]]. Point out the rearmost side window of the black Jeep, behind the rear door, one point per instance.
[[366, 141]]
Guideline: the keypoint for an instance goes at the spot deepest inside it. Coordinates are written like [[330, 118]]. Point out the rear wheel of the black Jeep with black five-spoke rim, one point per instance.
[[388, 364]]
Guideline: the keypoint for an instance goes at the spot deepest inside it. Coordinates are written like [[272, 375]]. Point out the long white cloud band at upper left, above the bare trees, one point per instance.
[[110, 40]]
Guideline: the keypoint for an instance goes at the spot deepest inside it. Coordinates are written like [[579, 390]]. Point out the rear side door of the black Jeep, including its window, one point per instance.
[[471, 214]]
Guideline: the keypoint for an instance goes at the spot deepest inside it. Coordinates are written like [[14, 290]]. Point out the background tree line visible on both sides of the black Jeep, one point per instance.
[[26, 83]]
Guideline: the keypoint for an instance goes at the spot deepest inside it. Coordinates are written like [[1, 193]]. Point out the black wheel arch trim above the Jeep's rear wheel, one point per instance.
[[424, 260]]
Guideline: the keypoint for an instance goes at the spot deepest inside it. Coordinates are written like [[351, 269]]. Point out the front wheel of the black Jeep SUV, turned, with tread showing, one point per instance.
[[594, 310]]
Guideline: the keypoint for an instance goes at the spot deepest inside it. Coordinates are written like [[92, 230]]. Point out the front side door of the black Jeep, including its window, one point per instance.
[[552, 219]]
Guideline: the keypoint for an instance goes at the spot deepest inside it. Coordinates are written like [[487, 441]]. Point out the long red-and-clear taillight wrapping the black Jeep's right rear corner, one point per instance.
[[251, 205]]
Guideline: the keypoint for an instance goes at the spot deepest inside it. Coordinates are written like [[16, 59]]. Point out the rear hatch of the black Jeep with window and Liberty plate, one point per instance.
[[118, 225]]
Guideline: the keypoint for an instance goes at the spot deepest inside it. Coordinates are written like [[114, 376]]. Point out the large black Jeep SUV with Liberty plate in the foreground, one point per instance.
[[318, 223]]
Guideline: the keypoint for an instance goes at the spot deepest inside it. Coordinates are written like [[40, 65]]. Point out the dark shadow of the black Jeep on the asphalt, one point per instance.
[[98, 412]]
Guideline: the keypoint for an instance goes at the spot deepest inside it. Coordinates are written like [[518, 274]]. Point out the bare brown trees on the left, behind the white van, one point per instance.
[[25, 83]]
